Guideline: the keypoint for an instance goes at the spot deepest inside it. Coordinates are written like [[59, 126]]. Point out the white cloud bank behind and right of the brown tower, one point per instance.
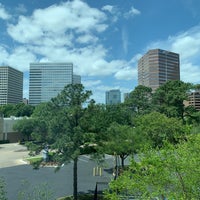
[[187, 44]]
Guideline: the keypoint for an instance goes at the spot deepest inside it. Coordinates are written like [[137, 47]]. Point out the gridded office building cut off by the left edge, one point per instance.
[[11, 85]]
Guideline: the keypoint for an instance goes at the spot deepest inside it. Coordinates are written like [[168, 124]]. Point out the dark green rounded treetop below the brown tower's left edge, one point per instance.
[[139, 100]]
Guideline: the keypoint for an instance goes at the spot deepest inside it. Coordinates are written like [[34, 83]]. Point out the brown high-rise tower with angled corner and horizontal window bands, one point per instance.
[[158, 66]]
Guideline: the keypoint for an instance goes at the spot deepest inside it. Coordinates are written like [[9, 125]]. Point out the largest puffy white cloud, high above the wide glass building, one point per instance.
[[58, 20]]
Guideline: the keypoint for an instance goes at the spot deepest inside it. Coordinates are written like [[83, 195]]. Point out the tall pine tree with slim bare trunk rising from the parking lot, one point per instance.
[[65, 136]]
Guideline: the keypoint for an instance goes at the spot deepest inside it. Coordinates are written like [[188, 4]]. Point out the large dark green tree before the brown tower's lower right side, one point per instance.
[[169, 98]]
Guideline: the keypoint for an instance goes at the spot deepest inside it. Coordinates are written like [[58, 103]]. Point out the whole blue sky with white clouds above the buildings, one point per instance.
[[103, 38]]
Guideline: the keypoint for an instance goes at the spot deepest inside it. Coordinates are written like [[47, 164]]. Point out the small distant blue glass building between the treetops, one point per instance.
[[113, 97]]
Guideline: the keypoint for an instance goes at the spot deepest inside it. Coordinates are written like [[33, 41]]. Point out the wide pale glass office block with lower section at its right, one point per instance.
[[48, 79]]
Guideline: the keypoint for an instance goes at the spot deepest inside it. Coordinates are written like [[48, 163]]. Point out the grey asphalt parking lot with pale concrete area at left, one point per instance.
[[16, 173]]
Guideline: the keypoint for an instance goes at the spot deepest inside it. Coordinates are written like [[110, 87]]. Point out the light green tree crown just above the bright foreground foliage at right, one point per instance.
[[157, 128]]
